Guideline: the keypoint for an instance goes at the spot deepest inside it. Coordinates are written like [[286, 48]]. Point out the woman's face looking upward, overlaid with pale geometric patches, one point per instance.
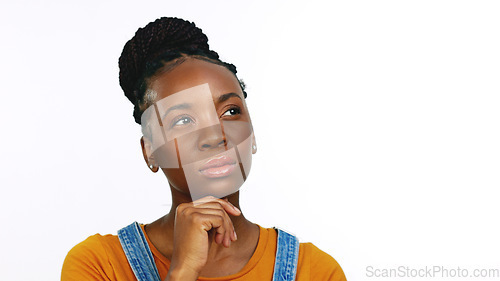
[[198, 131]]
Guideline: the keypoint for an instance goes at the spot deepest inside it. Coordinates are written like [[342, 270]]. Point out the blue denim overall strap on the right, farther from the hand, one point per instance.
[[287, 256]]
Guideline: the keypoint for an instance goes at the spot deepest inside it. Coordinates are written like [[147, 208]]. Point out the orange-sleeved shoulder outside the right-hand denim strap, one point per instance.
[[322, 265]]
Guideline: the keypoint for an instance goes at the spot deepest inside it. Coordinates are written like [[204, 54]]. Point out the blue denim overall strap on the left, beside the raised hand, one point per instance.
[[138, 254]]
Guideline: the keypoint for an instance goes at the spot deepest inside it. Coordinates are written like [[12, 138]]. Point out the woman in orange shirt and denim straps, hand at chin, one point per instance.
[[197, 131]]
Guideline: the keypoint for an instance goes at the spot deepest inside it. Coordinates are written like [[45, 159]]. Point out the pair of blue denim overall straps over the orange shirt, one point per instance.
[[141, 259]]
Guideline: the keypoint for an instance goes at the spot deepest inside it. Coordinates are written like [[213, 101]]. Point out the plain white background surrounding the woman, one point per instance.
[[377, 125]]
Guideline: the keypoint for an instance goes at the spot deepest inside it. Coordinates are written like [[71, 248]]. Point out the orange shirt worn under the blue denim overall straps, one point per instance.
[[102, 258]]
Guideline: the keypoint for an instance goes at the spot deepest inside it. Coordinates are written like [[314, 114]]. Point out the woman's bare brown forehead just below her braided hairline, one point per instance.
[[195, 72]]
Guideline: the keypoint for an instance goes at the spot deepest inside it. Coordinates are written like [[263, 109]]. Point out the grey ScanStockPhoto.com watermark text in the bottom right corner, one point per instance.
[[433, 271]]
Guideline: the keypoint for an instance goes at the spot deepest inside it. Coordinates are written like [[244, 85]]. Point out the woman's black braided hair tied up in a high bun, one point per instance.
[[164, 43]]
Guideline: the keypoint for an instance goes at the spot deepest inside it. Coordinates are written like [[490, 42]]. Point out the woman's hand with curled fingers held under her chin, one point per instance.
[[196, 226]]
